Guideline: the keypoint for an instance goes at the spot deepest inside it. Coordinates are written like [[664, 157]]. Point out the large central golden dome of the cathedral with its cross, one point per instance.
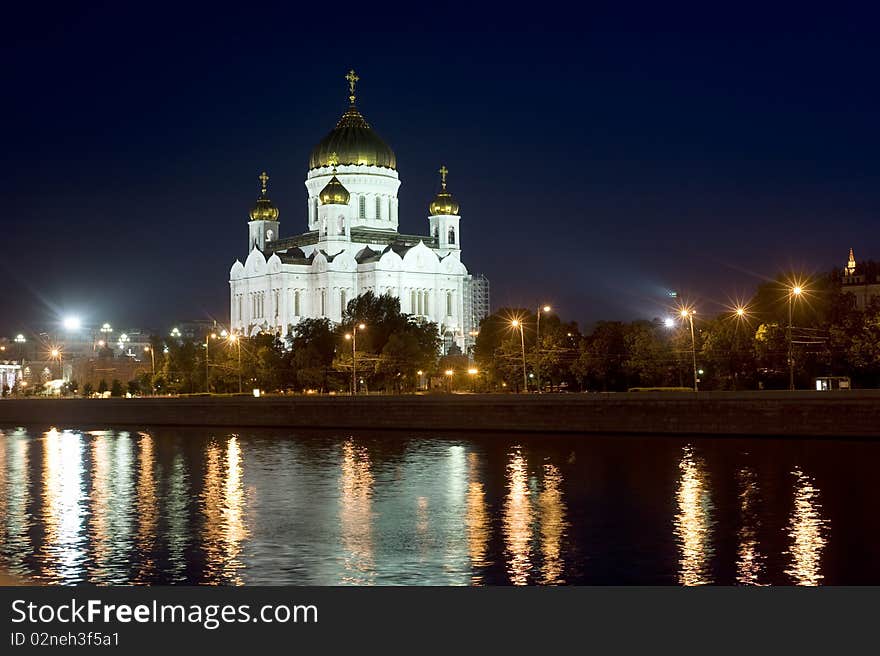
[[352, 140]]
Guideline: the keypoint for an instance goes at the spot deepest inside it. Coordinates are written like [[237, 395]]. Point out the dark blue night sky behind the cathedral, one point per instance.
[[595, 167]]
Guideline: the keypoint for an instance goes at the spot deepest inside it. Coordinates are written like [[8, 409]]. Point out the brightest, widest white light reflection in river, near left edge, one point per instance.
[[63, 508]]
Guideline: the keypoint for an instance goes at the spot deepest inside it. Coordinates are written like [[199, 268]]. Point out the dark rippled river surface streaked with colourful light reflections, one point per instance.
[[275, 507]]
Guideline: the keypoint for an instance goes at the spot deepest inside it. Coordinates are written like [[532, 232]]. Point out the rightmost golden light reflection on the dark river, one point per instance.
[[807, 529]]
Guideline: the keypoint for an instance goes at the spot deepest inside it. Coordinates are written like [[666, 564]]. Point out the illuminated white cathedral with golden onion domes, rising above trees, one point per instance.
[[353, 246]]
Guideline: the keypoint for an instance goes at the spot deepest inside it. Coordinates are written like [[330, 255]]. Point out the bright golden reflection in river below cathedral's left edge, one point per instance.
[[223, 508]]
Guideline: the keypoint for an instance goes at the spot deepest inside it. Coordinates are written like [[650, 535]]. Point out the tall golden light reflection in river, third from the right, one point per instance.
[[694, 520]]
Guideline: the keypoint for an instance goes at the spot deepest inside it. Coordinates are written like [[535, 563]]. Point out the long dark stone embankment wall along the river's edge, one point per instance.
[[820, 414]]
